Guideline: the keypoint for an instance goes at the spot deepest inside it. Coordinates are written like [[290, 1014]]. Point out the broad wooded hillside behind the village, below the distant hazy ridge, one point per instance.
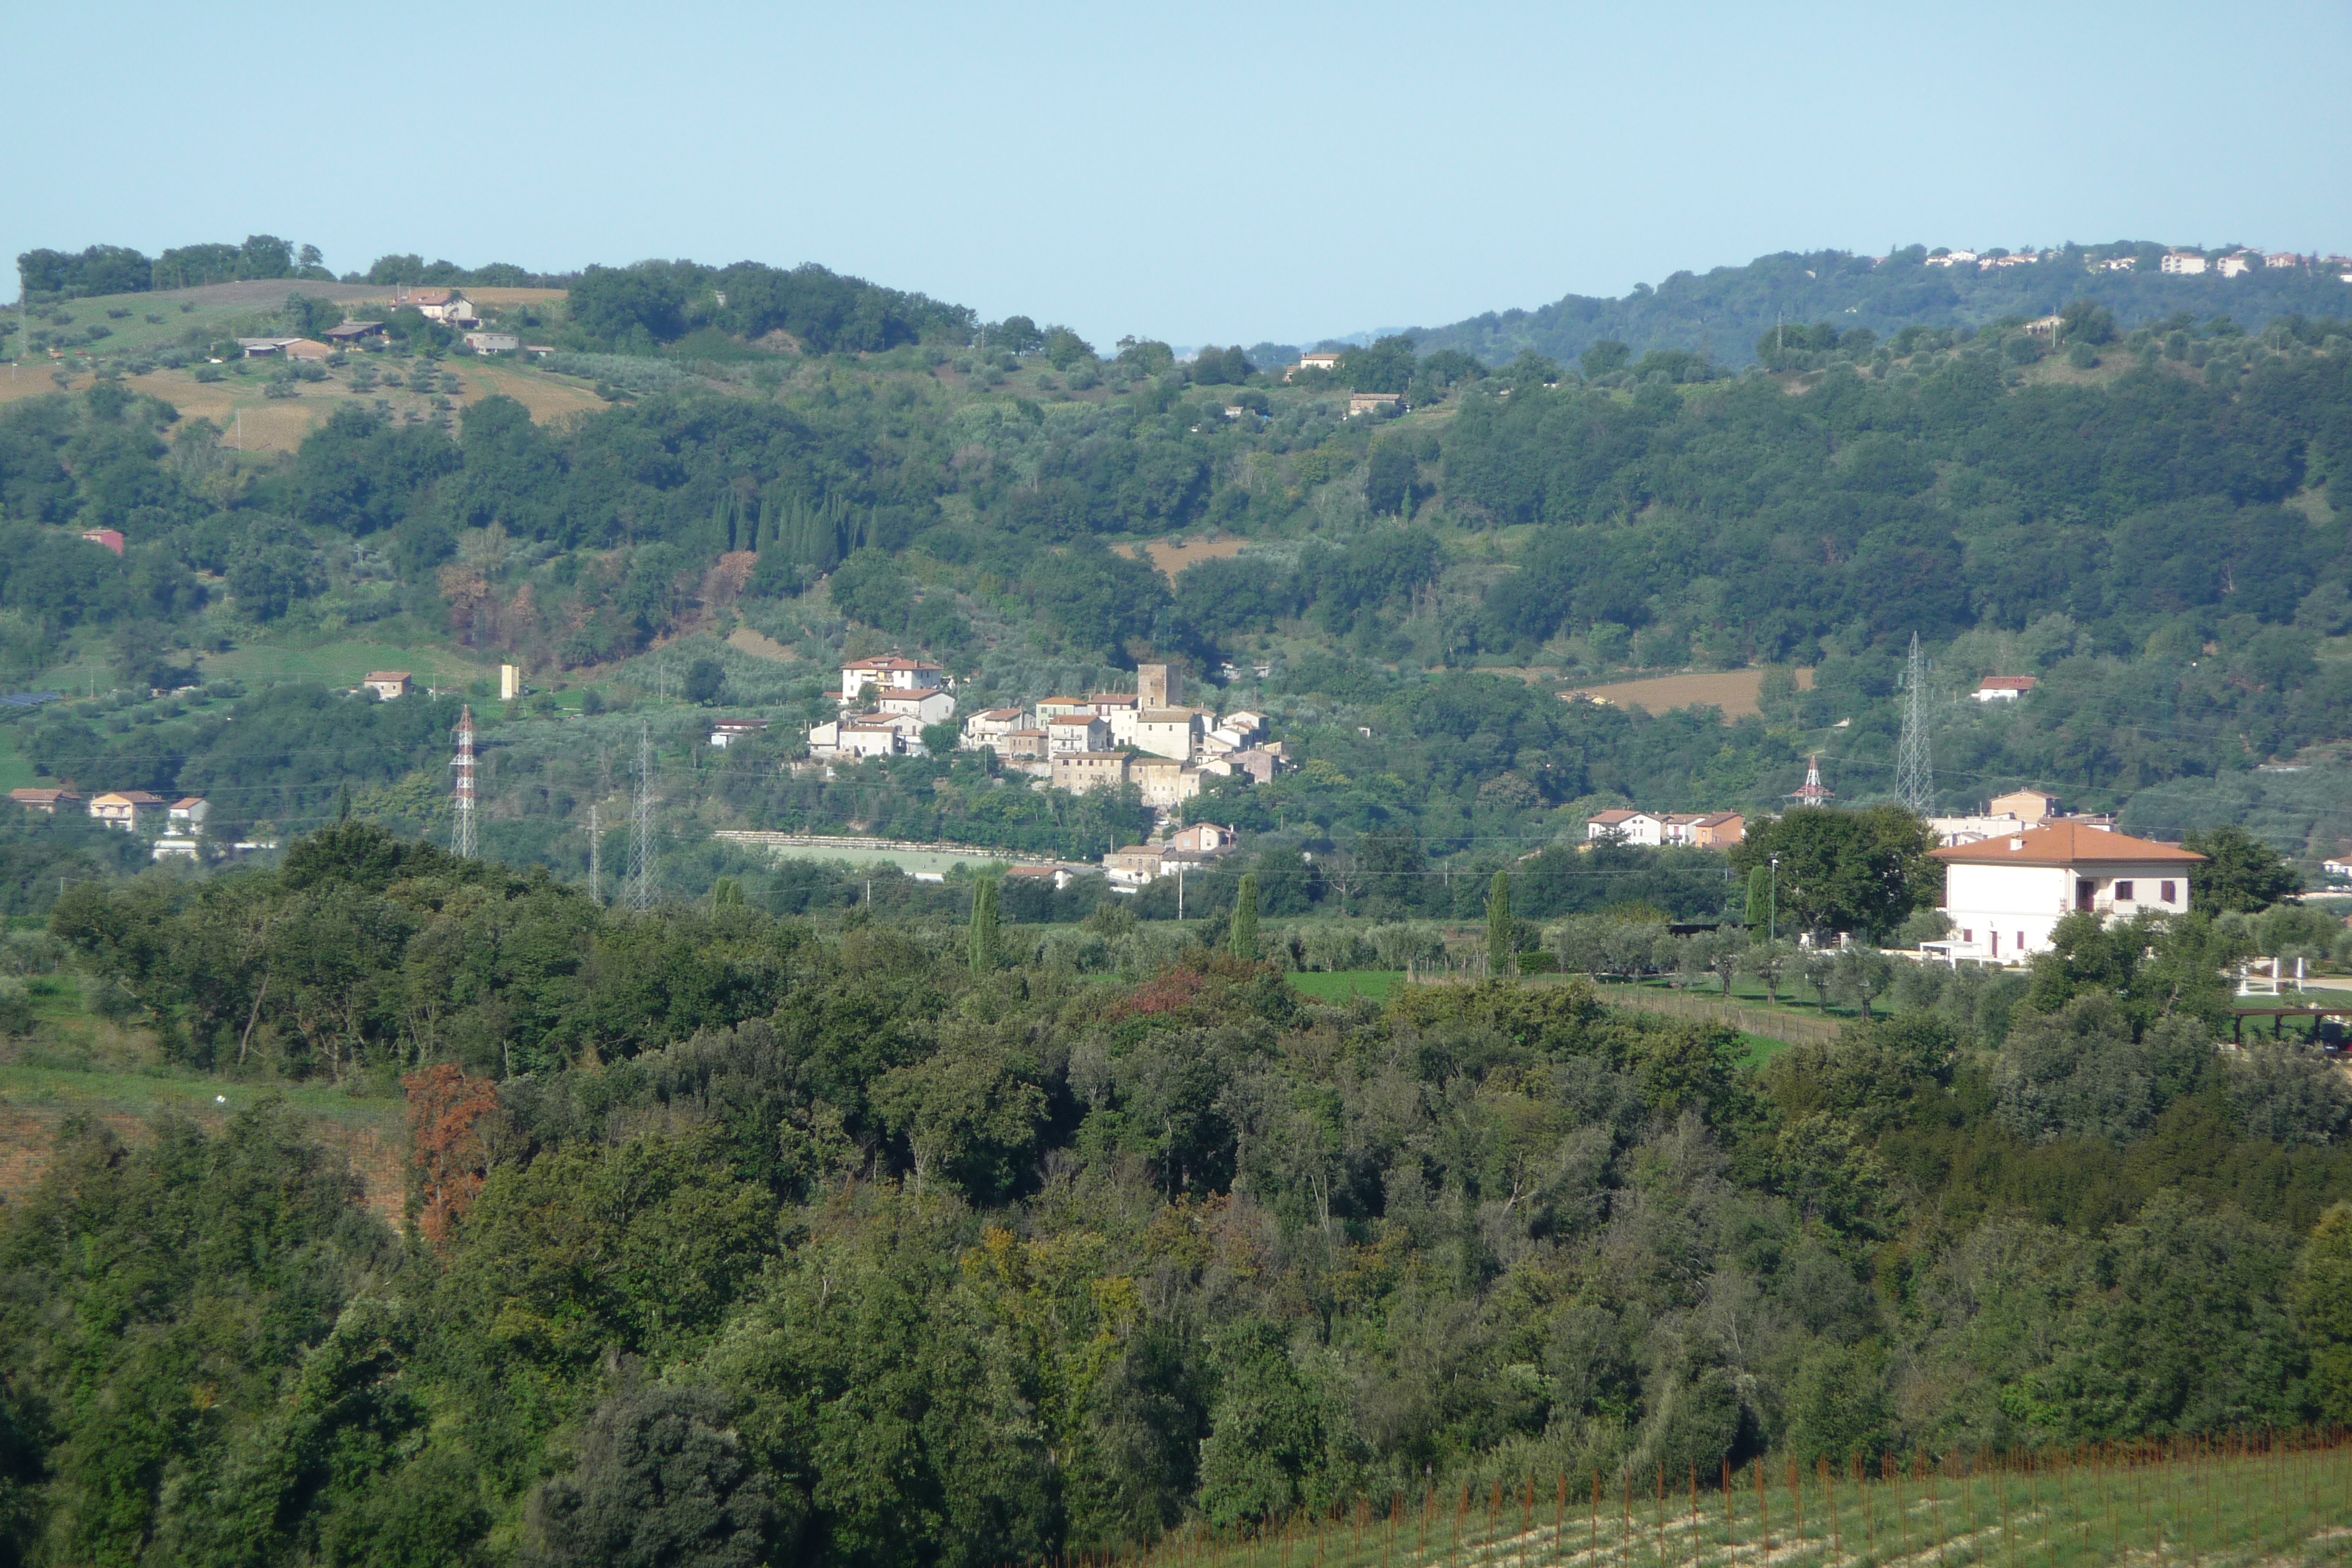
[[2156, 535]]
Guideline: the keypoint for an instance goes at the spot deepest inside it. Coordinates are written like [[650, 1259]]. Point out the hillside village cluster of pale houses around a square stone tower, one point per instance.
[[1081, 744]]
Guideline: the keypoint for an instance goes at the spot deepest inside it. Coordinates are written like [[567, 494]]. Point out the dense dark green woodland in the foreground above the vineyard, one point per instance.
[[871, 1242]]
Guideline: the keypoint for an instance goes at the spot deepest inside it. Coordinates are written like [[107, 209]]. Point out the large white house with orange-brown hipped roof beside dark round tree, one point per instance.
[[2005, 897]]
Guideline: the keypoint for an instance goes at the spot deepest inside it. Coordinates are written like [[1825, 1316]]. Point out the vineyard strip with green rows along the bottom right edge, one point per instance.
[[2271, 1503]]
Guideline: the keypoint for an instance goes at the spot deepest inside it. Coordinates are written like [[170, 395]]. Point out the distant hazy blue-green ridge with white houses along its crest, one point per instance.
[[1728, 311]]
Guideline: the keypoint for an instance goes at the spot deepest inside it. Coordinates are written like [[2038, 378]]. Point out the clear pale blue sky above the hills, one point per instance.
[[1194, 173]]
